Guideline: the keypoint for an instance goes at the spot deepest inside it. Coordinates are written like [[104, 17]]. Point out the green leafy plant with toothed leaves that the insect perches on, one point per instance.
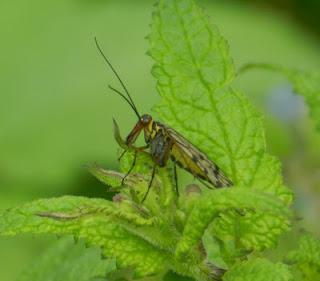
[[202, 234]]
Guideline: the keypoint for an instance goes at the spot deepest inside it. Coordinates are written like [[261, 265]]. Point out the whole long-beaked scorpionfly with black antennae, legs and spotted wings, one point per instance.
[[165, 143]]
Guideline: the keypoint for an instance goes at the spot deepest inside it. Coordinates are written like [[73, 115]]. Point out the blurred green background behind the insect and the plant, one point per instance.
[[56, 111]]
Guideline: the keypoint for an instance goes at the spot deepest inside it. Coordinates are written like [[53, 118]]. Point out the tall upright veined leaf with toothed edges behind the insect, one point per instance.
[[194, 72]]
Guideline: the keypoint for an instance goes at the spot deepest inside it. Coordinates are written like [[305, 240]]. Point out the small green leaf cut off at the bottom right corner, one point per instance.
[[306, 259]]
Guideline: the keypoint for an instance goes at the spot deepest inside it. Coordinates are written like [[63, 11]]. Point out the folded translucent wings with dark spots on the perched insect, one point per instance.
[[190, 158]]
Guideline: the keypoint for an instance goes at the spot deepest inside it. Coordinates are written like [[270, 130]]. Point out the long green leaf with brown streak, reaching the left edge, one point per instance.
[[91, 220]]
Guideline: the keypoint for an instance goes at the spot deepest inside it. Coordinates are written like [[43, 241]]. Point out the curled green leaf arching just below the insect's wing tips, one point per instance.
[[214, 203]]
